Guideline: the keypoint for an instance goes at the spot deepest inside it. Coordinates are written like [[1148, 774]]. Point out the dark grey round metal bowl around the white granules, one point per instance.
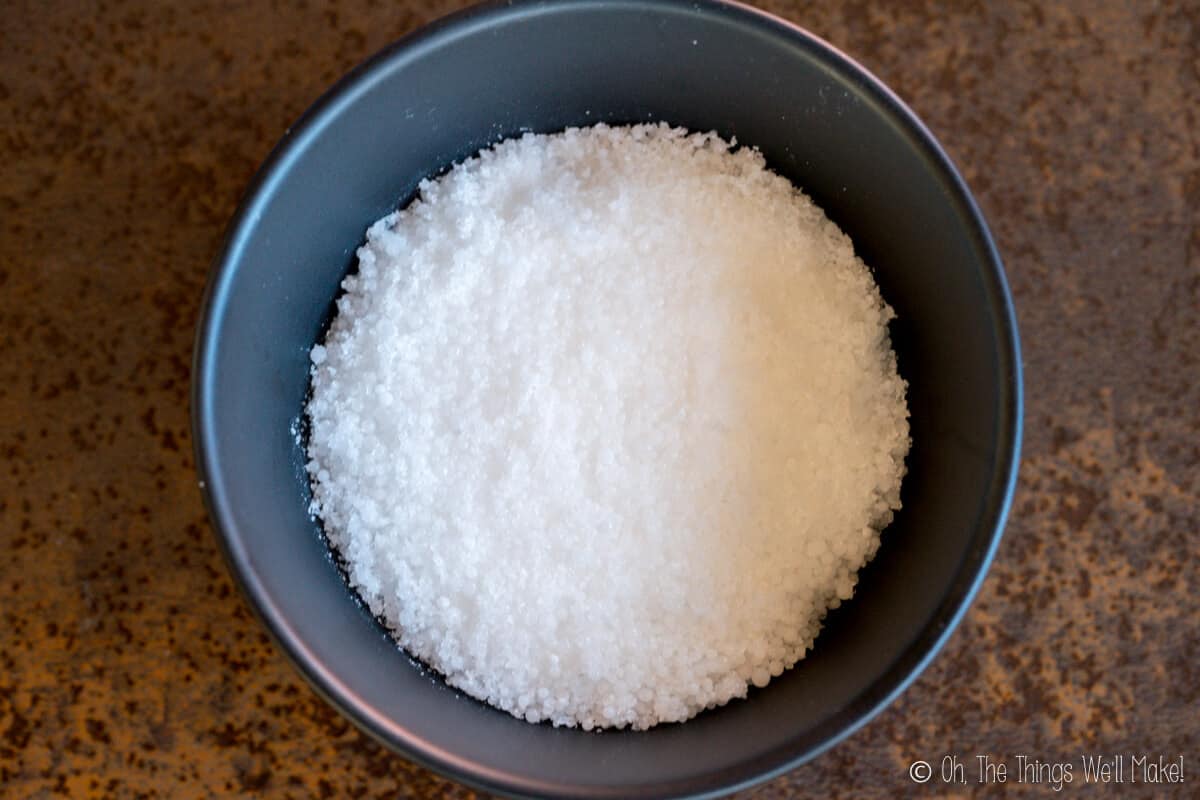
[[495, 71]]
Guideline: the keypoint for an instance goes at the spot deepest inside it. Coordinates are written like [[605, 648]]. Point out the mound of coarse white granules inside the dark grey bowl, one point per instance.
[[605, 423]]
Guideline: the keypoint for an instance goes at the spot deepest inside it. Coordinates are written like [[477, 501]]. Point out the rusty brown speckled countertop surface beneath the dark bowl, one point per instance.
[[131, 667]]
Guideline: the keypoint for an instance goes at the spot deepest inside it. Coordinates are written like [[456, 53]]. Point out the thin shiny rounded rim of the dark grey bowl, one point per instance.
[[359, 81]]
